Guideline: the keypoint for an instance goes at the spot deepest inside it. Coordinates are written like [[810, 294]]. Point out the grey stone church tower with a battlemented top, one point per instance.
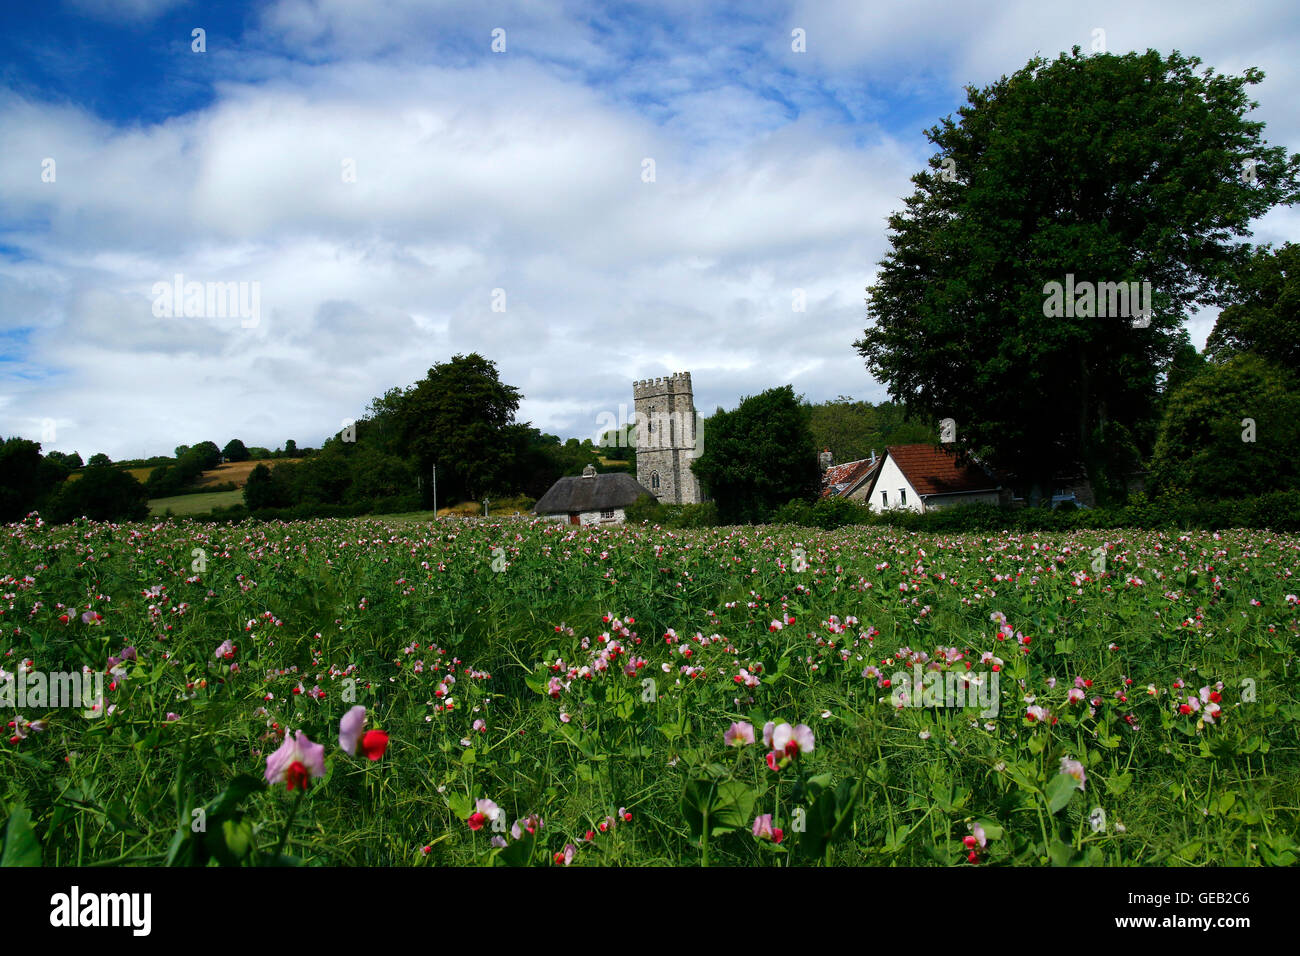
[[668, 439]]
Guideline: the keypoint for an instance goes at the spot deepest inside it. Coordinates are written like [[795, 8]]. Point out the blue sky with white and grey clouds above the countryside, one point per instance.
[[396, 192]]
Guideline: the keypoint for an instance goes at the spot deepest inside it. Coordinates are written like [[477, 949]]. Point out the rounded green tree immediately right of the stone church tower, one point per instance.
[[759, 457]]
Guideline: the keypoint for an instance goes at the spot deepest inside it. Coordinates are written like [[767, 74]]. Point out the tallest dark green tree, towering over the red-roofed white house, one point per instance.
[[1132, 168]]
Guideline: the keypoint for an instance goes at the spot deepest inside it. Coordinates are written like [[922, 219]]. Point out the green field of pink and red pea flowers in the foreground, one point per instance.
[[518, 693]]
